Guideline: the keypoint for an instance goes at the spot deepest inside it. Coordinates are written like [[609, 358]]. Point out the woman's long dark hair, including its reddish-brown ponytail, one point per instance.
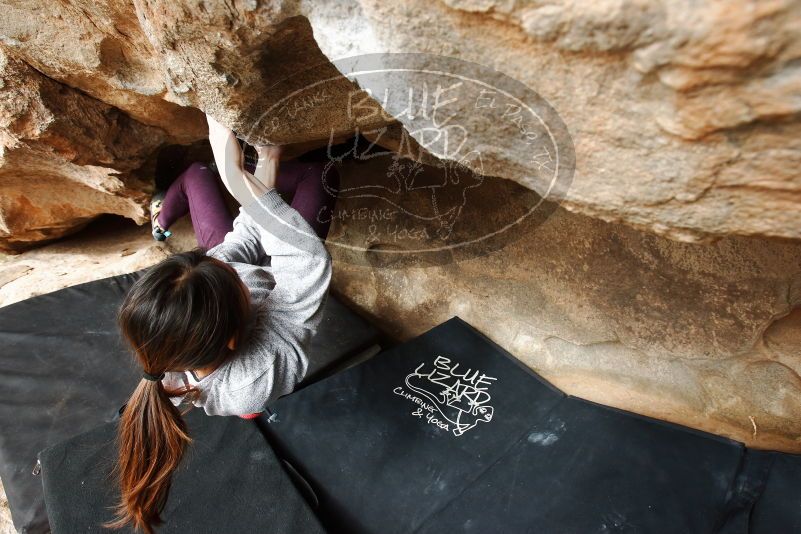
[[180, 315]]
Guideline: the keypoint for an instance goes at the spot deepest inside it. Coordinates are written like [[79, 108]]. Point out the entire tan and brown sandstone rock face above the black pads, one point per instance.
[[684, 118]]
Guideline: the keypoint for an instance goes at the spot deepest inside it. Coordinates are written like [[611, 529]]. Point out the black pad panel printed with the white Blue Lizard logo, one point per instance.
[[385, 469]]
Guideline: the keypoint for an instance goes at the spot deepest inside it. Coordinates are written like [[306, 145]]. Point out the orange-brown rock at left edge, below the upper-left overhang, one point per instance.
[[64, 158]]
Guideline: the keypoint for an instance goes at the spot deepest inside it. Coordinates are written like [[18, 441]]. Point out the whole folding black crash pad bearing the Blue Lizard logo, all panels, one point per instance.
[[448, 433]]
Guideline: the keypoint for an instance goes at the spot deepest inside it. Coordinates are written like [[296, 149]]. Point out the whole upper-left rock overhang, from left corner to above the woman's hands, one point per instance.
[[159, 61]]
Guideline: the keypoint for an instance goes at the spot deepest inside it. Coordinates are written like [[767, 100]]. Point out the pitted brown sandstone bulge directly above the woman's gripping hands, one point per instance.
[[239, 62]]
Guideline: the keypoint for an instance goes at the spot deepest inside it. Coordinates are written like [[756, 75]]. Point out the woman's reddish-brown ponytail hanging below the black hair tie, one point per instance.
[[152, 436]]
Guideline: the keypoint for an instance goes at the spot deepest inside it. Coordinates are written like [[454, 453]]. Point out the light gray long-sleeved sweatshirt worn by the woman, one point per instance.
[[287, 269]]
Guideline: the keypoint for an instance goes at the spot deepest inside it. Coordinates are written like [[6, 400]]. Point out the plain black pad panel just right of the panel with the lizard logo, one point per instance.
[[586, 468]]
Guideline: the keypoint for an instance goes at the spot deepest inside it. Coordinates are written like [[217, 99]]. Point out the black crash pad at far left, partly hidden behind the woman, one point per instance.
[[64, 370]]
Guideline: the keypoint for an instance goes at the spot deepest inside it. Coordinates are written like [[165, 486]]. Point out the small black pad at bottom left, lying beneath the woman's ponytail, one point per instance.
[[230, 481]]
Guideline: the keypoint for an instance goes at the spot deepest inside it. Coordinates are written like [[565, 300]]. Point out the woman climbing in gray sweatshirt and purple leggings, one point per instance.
[[227, 329]]
